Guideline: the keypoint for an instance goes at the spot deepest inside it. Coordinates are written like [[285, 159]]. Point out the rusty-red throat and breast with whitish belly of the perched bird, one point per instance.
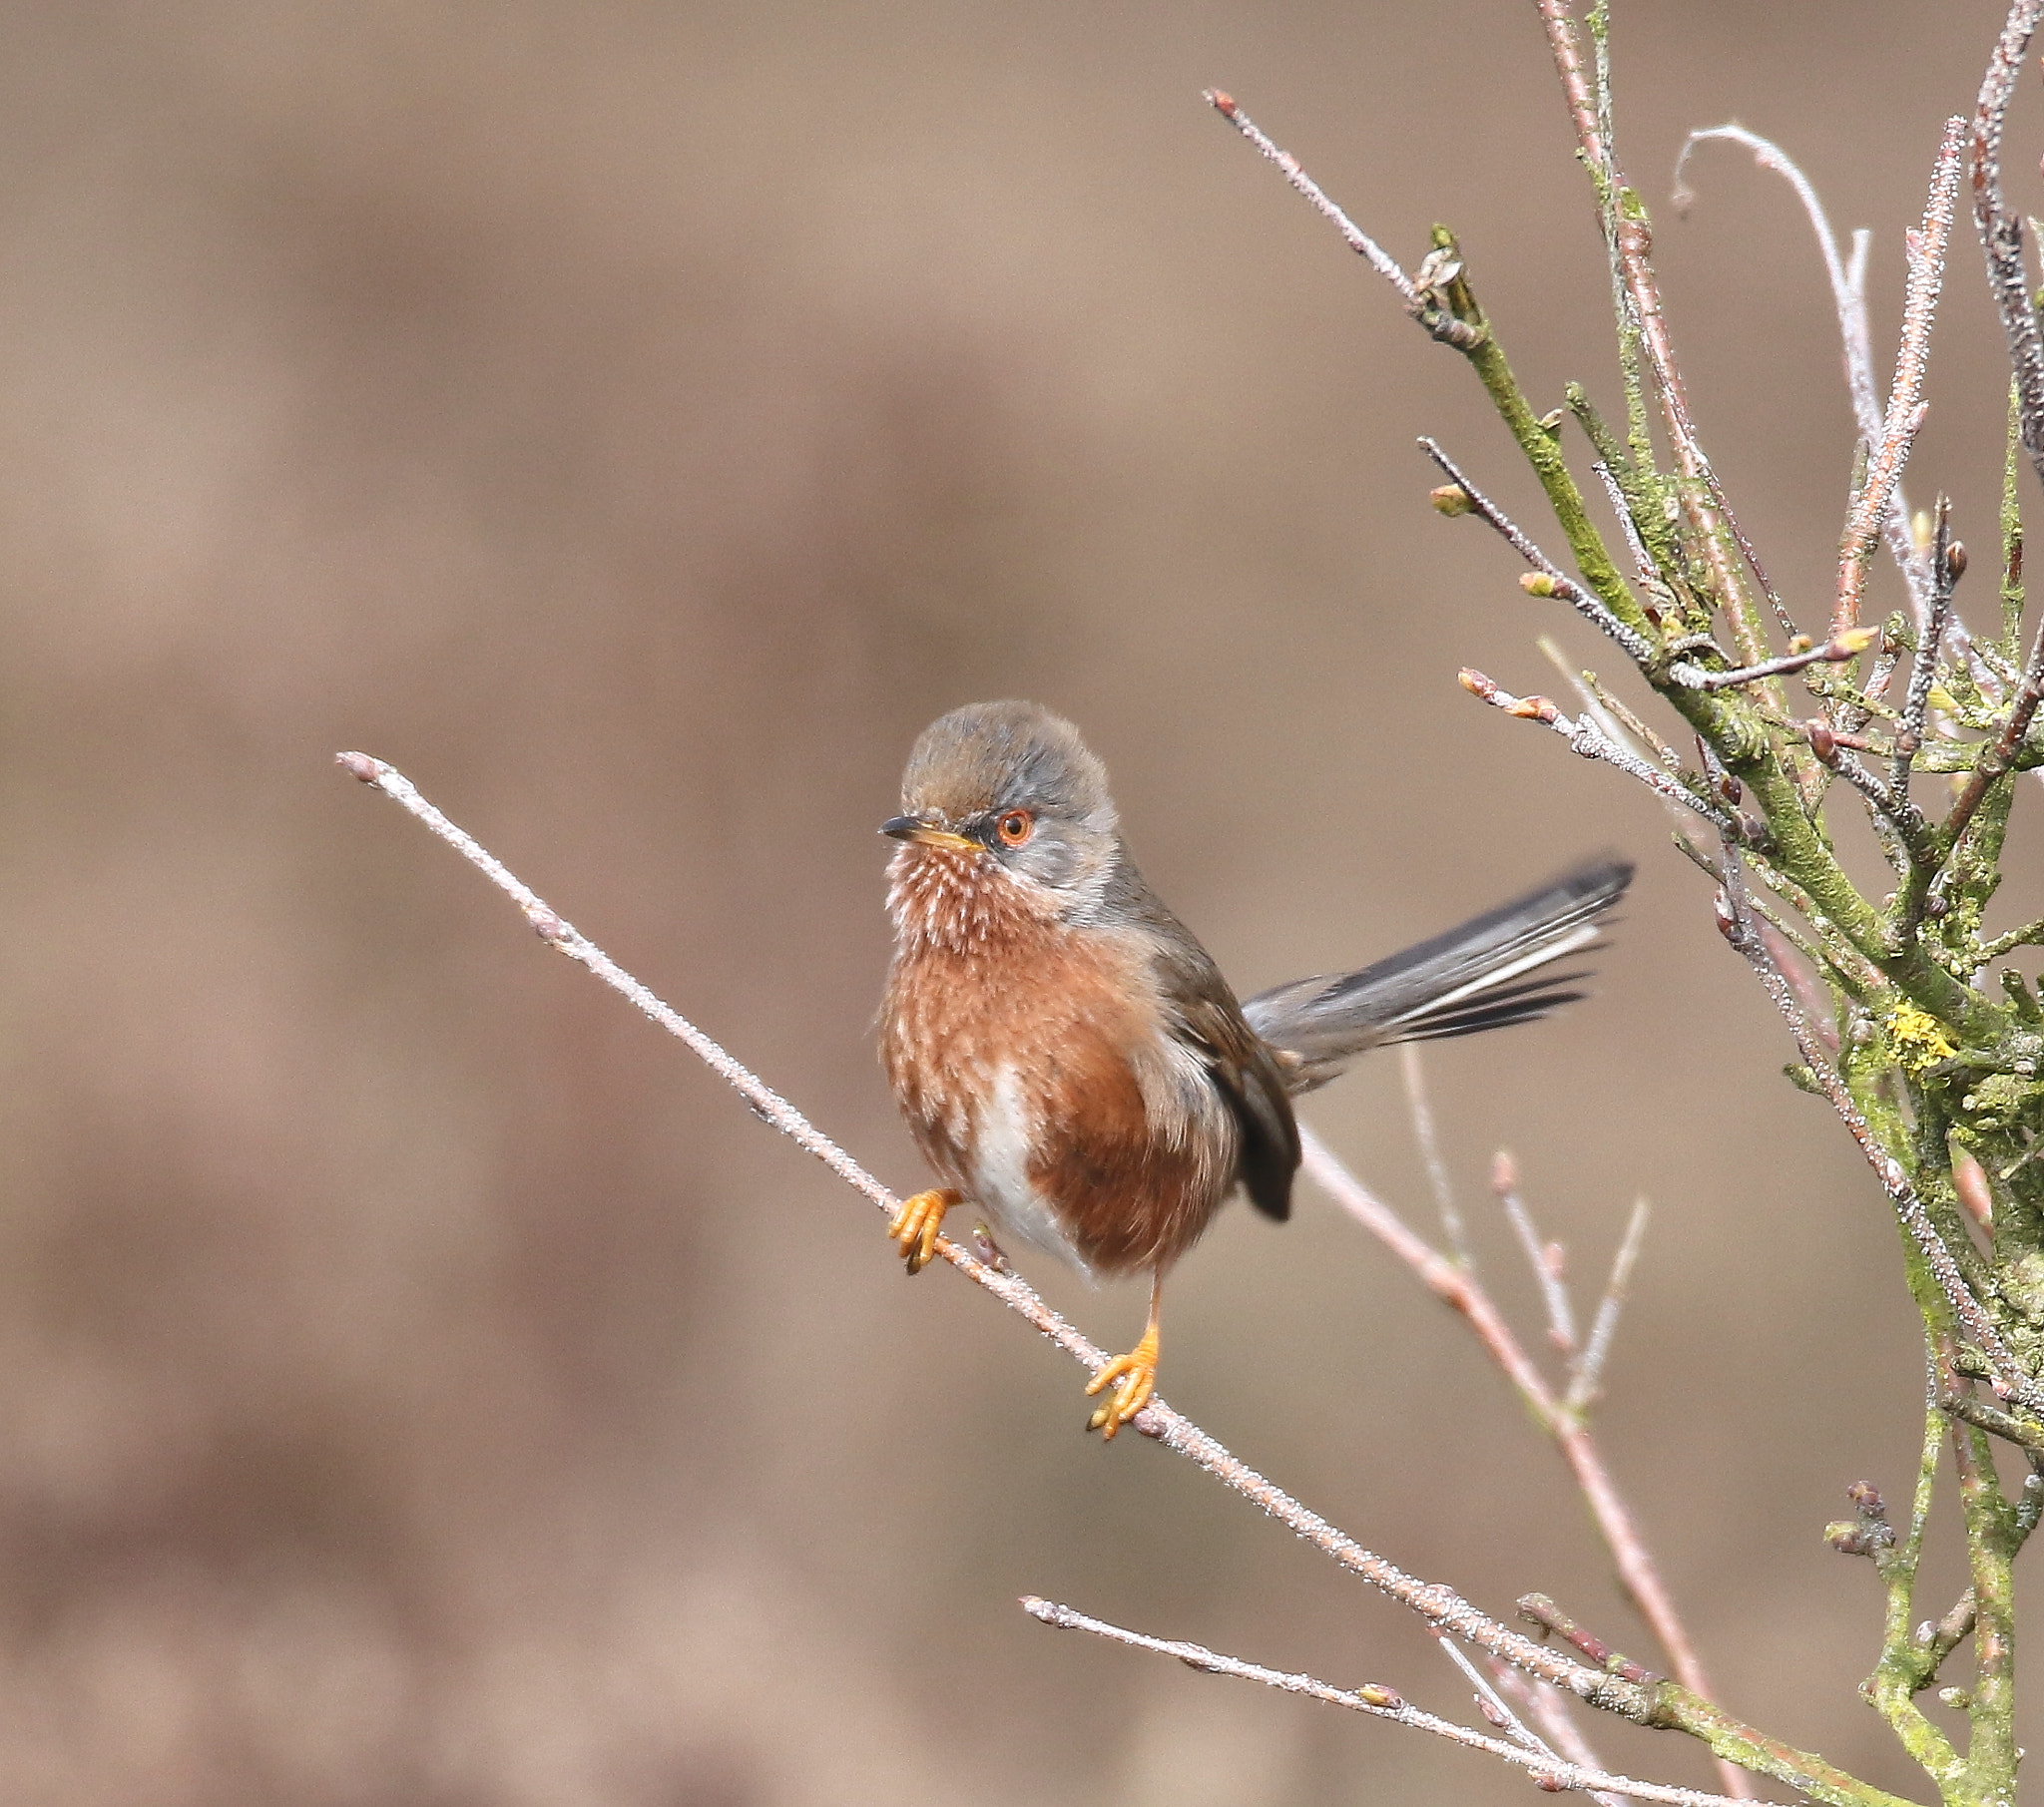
[[1033, 1068]]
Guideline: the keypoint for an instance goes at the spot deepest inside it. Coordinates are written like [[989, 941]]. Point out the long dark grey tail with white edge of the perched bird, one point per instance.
[[1491, 972]]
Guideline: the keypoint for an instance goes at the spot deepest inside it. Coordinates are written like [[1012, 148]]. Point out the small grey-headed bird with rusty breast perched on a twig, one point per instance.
[[1070, 1058]]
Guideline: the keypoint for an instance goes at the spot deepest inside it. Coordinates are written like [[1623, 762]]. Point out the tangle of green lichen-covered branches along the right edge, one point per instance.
[[1918, 1033]]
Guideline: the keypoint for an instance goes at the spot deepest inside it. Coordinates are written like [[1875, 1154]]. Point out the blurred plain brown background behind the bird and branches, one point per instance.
[[420, 1383]]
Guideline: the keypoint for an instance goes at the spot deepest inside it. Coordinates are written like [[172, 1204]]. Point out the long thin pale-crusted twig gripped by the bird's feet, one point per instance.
[[1432, 1602]]
